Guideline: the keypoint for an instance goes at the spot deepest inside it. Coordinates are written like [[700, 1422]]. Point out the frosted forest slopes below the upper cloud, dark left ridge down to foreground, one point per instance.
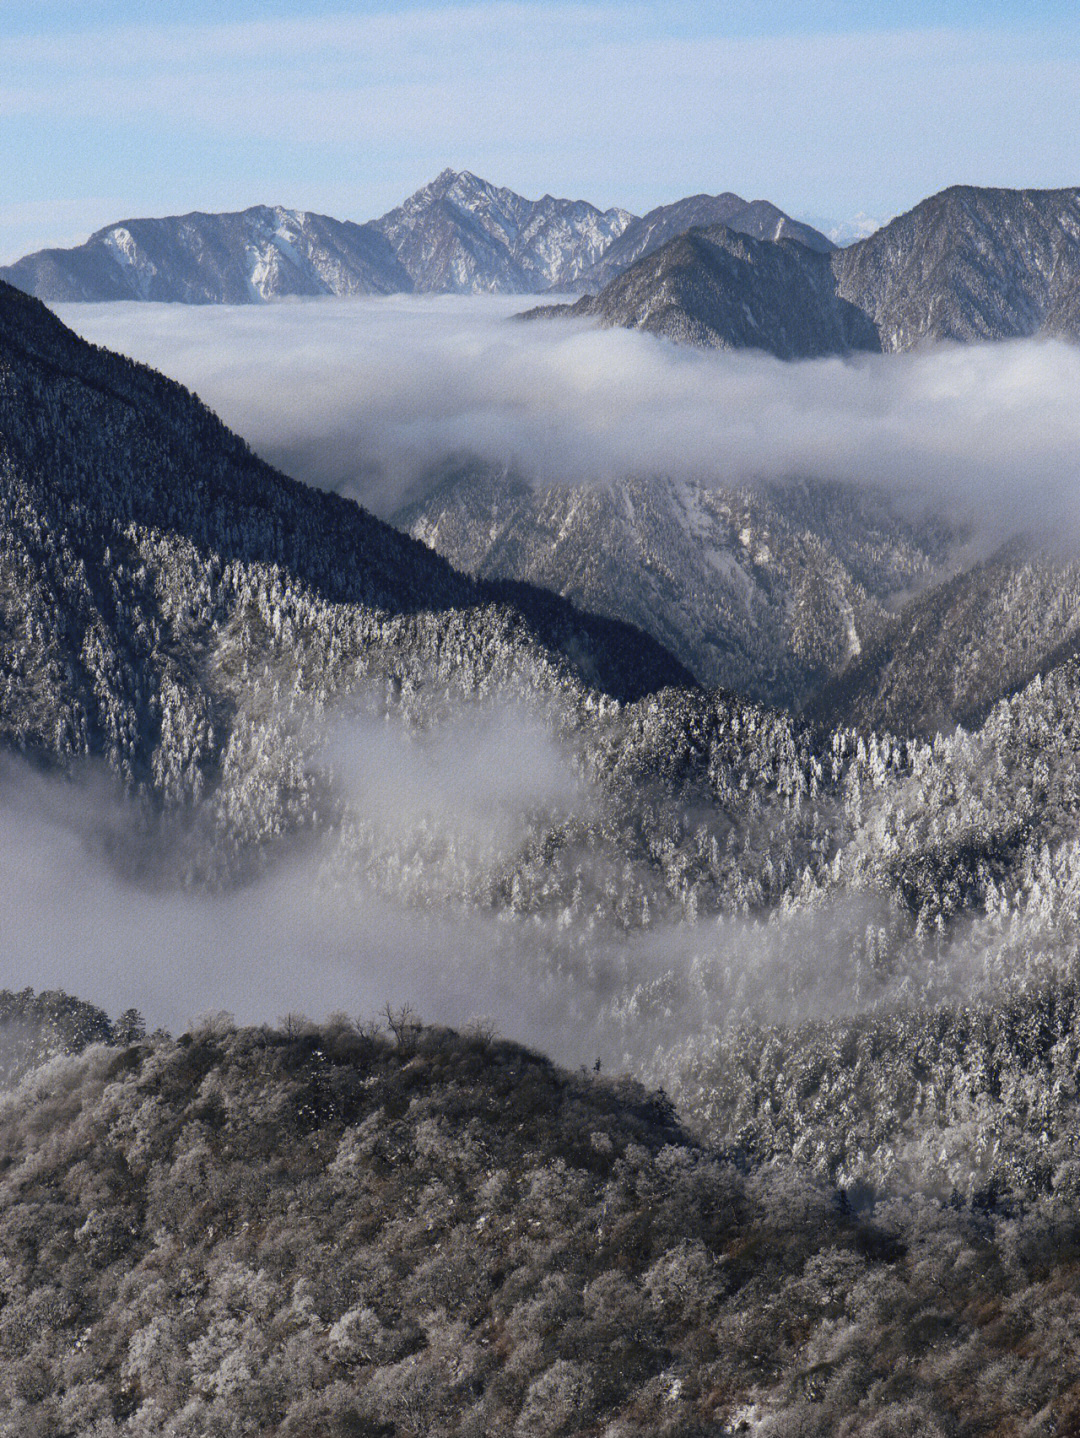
[[812, 1163]]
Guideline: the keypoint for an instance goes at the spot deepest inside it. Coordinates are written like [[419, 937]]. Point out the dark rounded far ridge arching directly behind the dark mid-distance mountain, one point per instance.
[[757, 218]]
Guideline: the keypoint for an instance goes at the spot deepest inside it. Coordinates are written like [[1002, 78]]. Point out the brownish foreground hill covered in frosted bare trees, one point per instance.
[[342, 1232]]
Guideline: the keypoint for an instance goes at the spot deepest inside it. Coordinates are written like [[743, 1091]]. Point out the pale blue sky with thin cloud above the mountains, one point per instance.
[[120, 109]]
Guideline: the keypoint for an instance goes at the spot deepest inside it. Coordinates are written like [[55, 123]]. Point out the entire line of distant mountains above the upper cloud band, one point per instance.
[[715, 271]]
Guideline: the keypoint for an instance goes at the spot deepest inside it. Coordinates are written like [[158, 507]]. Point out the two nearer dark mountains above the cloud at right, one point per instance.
[[964, 265]]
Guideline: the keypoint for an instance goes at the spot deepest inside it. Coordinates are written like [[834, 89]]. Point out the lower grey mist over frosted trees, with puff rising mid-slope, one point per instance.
[[402, 898]]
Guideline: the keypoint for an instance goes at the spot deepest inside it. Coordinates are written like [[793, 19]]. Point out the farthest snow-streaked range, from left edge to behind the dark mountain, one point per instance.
[[458, 235]]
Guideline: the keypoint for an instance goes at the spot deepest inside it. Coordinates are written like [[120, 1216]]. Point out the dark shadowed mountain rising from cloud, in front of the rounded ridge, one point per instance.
[[727, 291]]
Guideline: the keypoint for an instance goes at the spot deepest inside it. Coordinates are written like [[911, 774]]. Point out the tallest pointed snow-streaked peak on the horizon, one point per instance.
[[461, 235]]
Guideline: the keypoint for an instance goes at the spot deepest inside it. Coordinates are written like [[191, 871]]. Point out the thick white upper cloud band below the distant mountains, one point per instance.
[[369, 395]]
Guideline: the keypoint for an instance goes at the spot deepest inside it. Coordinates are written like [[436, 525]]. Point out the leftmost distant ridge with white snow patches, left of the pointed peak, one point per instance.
[[196, 260]]
